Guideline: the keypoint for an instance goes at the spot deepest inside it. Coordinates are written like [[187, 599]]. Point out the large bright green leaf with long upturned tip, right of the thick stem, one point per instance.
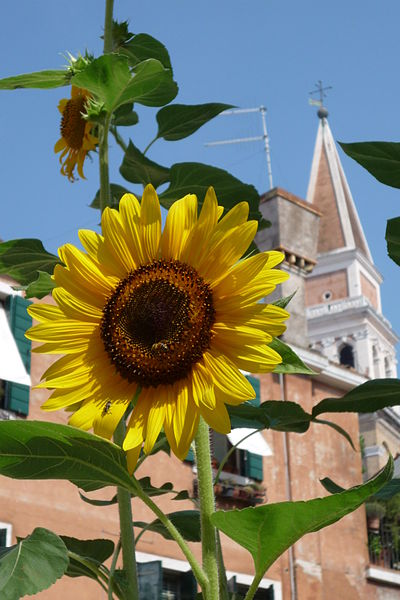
[[267, 531]]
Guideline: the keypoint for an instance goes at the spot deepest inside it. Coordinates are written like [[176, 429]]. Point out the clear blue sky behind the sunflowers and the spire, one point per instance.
[[250, 53]]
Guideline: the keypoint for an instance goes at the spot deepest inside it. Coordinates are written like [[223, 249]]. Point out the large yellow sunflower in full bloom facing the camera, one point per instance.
[[169, 318]]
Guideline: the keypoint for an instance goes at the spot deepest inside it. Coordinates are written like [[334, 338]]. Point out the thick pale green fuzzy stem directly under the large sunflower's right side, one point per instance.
[[207, 508]]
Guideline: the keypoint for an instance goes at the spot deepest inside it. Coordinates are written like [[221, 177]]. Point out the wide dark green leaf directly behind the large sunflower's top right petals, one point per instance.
[[196, 178]]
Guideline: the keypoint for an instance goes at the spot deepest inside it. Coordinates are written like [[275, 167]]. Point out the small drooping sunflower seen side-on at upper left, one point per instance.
[[76, 137]]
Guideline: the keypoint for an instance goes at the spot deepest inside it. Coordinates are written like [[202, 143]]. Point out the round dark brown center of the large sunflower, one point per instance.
[[158, 322]]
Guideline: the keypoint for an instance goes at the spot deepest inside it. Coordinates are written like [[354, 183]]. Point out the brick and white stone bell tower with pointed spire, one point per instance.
[[344, 312]]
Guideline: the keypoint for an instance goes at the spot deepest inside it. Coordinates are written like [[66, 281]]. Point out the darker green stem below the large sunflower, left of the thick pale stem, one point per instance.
[[126, 524]]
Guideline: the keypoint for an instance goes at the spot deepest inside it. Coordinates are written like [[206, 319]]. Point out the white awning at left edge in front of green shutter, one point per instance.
[[11, 366]]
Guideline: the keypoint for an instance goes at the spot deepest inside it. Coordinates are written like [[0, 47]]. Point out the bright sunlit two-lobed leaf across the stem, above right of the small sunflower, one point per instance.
[[110, 80]]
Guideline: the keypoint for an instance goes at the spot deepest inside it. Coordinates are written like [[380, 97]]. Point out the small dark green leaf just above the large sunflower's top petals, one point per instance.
[[137, 168]]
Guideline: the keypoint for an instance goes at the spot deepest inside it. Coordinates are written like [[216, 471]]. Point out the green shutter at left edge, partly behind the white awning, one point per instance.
[[17, 395]]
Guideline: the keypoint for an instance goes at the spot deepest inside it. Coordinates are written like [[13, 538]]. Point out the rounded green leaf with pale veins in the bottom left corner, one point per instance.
[[33, 565]]
